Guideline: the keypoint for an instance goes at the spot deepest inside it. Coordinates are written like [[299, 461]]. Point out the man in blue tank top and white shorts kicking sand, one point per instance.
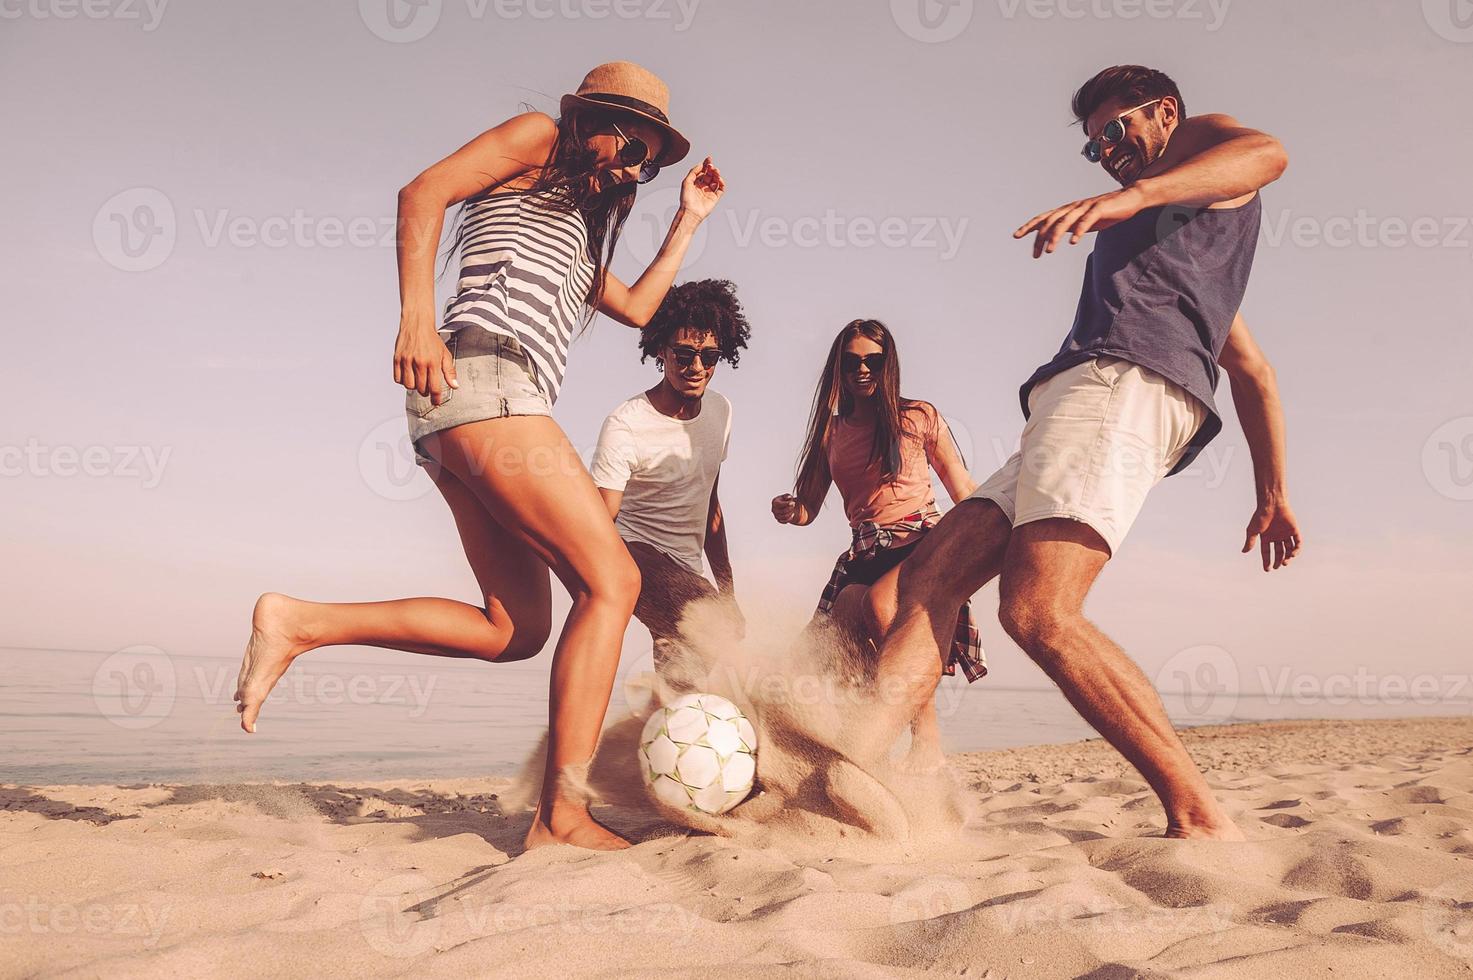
[[1125, 403]]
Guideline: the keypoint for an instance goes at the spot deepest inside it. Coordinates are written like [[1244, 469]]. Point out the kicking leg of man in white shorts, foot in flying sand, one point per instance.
[[960, 556]]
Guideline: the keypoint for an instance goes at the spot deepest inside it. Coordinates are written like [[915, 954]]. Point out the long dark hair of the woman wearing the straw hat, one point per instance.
[[563, 183]]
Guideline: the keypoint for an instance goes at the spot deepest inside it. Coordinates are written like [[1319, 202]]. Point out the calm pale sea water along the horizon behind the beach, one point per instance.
[[142, 715]]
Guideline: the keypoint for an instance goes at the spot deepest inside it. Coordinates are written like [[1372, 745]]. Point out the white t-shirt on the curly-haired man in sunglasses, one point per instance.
[[667, 469]]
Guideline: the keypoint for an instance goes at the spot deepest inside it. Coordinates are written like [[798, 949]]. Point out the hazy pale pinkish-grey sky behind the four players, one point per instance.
[[201, 297]]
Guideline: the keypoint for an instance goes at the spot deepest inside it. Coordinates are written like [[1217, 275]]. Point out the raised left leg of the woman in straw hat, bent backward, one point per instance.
[[513, 626]]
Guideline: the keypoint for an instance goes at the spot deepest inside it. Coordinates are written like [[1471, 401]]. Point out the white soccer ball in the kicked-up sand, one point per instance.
[[699, 754]]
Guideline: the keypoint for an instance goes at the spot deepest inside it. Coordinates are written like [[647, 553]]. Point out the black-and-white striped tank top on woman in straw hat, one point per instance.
[[525, 273]]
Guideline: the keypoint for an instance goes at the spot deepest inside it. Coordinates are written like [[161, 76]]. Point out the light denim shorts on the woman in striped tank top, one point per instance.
[[496, 381]]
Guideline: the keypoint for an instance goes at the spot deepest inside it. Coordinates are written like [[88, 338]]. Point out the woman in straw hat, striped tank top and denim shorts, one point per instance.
[[544, 203]]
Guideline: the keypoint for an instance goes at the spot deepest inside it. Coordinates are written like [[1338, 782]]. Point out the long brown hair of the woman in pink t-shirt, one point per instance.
[[833, 402]]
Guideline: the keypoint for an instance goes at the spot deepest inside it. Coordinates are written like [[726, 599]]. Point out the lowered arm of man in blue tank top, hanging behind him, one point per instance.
[[1256, 397]]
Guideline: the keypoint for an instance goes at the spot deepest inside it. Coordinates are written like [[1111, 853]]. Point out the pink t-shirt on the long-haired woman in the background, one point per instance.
[[862, 484]]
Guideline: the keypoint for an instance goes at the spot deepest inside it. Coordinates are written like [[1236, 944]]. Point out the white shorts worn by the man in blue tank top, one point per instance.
[[1100, 437]]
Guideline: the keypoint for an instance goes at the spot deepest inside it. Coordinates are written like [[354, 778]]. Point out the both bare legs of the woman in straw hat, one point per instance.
[[528, 480]]
